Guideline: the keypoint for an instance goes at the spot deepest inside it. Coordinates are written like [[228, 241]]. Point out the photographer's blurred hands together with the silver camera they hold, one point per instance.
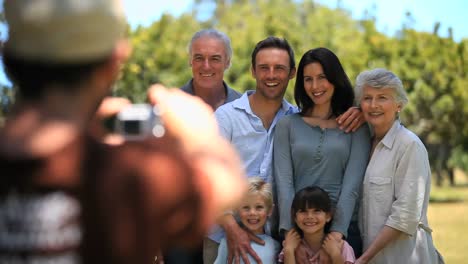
[[184, 116]]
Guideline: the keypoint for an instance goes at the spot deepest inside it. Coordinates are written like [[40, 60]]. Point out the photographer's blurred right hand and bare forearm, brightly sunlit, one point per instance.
[[192, 122]]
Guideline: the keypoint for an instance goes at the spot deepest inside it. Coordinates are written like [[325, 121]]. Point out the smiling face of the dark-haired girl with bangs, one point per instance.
[[312, 221]]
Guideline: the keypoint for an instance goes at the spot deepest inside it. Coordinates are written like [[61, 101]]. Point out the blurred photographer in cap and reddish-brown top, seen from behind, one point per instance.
[[67, 197]]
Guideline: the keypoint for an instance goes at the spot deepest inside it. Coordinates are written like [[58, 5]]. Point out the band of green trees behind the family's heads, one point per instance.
[[432, 68]]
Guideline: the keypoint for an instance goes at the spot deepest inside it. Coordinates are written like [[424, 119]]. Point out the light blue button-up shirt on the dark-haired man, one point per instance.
[[245, 130]]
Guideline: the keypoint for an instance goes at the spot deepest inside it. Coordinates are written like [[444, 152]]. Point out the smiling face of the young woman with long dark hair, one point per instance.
[[316, 84]]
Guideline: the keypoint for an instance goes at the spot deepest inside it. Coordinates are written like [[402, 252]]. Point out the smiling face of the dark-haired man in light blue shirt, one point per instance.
[[272, 73]]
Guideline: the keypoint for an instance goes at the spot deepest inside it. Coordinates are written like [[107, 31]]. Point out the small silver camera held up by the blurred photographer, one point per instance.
[[139, 121]]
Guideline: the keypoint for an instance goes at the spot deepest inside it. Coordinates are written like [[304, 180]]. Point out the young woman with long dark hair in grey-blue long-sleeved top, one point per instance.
[[310, 149]]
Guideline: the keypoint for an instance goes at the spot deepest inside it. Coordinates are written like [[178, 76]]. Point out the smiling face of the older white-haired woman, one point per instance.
[[380, 108]]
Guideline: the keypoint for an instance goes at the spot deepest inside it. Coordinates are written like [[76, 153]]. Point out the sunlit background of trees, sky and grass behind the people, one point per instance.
[[431, 58]]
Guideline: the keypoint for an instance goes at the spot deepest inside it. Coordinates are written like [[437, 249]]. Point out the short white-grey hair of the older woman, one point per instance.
[[380, 78]]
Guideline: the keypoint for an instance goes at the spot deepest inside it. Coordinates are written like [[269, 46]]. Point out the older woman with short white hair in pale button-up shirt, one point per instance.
[[393, 213]]
